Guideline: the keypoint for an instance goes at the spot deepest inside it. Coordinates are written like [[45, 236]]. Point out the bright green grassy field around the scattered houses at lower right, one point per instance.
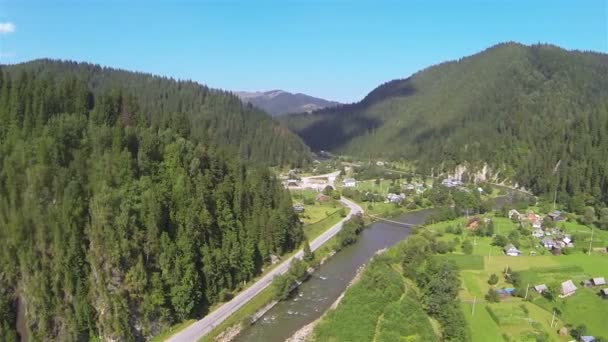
[[508, 320]]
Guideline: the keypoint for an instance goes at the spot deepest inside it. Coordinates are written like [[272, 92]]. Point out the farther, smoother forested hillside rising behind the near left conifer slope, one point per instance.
[[202, 114]]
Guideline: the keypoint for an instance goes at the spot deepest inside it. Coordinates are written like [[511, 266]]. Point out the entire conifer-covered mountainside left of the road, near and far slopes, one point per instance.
[[122, 208]]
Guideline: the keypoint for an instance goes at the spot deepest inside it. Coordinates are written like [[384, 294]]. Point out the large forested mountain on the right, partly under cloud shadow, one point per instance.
[[535, 115]]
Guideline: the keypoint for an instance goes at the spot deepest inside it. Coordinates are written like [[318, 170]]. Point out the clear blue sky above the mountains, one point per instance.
[[338, 50]]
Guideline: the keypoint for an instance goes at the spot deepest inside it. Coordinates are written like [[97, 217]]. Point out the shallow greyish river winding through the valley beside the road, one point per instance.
[[326, 284]]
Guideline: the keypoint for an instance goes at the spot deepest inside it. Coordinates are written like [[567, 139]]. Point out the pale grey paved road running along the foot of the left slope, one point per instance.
[[202, 327]]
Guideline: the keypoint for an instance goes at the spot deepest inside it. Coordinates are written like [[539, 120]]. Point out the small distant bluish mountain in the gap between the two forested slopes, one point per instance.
[[279, 102]]
